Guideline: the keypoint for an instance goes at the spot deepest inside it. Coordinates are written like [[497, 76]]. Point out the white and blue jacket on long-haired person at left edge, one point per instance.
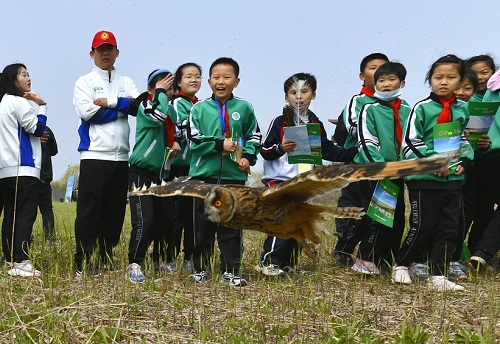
[[20, 131]]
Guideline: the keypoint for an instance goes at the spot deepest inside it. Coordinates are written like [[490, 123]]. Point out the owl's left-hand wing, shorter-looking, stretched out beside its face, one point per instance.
[[183, 186]]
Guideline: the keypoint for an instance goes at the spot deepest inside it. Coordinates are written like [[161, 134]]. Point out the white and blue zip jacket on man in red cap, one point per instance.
[[104, 132]]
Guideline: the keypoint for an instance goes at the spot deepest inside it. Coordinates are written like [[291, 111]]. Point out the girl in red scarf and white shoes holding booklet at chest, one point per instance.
[[435, 126]]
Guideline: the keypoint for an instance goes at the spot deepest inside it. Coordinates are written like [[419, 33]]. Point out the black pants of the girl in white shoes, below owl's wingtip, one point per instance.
[[434, 220]]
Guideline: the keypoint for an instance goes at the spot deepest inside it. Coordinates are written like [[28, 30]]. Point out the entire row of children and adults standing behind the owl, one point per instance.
[[177, 135]]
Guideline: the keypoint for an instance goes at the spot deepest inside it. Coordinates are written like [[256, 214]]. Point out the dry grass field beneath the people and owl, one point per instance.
[[321, 303]]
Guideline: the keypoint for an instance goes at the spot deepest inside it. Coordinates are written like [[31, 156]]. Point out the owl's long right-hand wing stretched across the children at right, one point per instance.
[[325, 179]]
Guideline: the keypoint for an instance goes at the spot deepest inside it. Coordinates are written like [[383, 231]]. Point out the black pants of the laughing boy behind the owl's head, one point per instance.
[[230, 241]]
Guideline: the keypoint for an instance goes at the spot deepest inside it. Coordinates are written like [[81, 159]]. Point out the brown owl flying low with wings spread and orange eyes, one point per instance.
[[284, 210]]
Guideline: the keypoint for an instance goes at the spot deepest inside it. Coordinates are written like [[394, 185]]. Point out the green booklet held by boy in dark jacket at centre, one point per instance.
[[308, 139]]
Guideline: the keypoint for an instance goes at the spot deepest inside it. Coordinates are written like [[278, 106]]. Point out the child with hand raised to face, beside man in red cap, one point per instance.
[[155, 136]]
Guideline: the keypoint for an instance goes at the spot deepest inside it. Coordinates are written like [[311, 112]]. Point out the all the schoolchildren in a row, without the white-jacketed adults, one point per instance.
[[177, 135]]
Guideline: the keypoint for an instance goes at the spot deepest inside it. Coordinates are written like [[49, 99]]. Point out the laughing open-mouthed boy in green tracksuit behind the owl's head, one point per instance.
[[217, 125]]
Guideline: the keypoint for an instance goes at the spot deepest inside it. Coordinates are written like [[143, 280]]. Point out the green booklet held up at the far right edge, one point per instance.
[[481, 117]]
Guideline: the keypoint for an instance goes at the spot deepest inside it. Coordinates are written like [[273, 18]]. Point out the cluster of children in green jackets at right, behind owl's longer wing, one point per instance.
[[442, 205]]
